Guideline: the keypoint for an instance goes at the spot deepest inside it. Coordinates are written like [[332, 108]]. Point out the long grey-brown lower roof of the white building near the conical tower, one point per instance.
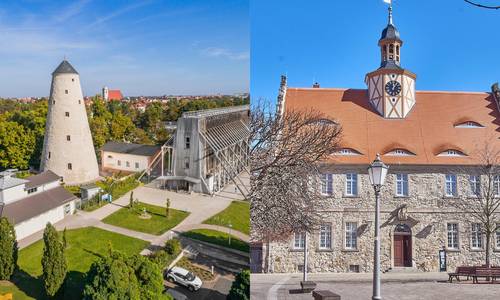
[[37, 204]]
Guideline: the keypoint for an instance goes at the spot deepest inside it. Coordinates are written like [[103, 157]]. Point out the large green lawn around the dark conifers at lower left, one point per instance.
[[84, 247]]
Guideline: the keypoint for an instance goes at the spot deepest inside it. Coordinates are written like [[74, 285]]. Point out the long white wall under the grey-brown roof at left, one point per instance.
[[39, 222]]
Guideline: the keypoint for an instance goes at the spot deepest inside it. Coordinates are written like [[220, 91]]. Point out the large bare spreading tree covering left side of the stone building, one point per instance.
[[284, 161]]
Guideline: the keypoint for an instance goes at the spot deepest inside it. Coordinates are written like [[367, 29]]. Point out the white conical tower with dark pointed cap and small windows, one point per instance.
[[68, 149]]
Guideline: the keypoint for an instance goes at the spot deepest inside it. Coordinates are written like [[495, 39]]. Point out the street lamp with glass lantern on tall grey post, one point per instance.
[[377, 172]]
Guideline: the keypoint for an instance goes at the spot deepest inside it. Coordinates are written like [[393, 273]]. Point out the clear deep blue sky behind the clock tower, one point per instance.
[[449, 44]]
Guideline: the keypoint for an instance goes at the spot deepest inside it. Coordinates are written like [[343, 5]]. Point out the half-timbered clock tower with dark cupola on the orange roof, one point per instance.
[[391, 88]]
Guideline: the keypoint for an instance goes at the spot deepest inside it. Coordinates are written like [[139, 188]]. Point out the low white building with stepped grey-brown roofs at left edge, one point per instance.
[[32, 202]]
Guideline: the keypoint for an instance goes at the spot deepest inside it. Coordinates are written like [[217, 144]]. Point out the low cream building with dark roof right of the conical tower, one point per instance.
[[127, 157]]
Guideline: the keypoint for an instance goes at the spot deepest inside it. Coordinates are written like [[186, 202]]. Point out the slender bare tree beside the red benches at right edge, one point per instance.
[[484, 185]]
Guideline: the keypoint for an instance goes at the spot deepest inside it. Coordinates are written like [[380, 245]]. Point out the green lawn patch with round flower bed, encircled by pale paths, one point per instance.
[[157, 224]]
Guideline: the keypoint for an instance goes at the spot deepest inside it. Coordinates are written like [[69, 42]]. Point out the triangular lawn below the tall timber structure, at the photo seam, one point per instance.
[[236, 214]]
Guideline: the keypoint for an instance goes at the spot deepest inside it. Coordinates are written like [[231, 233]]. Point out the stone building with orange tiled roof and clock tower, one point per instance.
[[432, 142]]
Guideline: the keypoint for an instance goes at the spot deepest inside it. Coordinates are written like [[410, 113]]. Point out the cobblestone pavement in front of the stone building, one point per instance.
[[408, 287]]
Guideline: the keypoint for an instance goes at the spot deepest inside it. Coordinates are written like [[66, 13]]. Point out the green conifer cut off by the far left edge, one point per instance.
[[8, 249]]
